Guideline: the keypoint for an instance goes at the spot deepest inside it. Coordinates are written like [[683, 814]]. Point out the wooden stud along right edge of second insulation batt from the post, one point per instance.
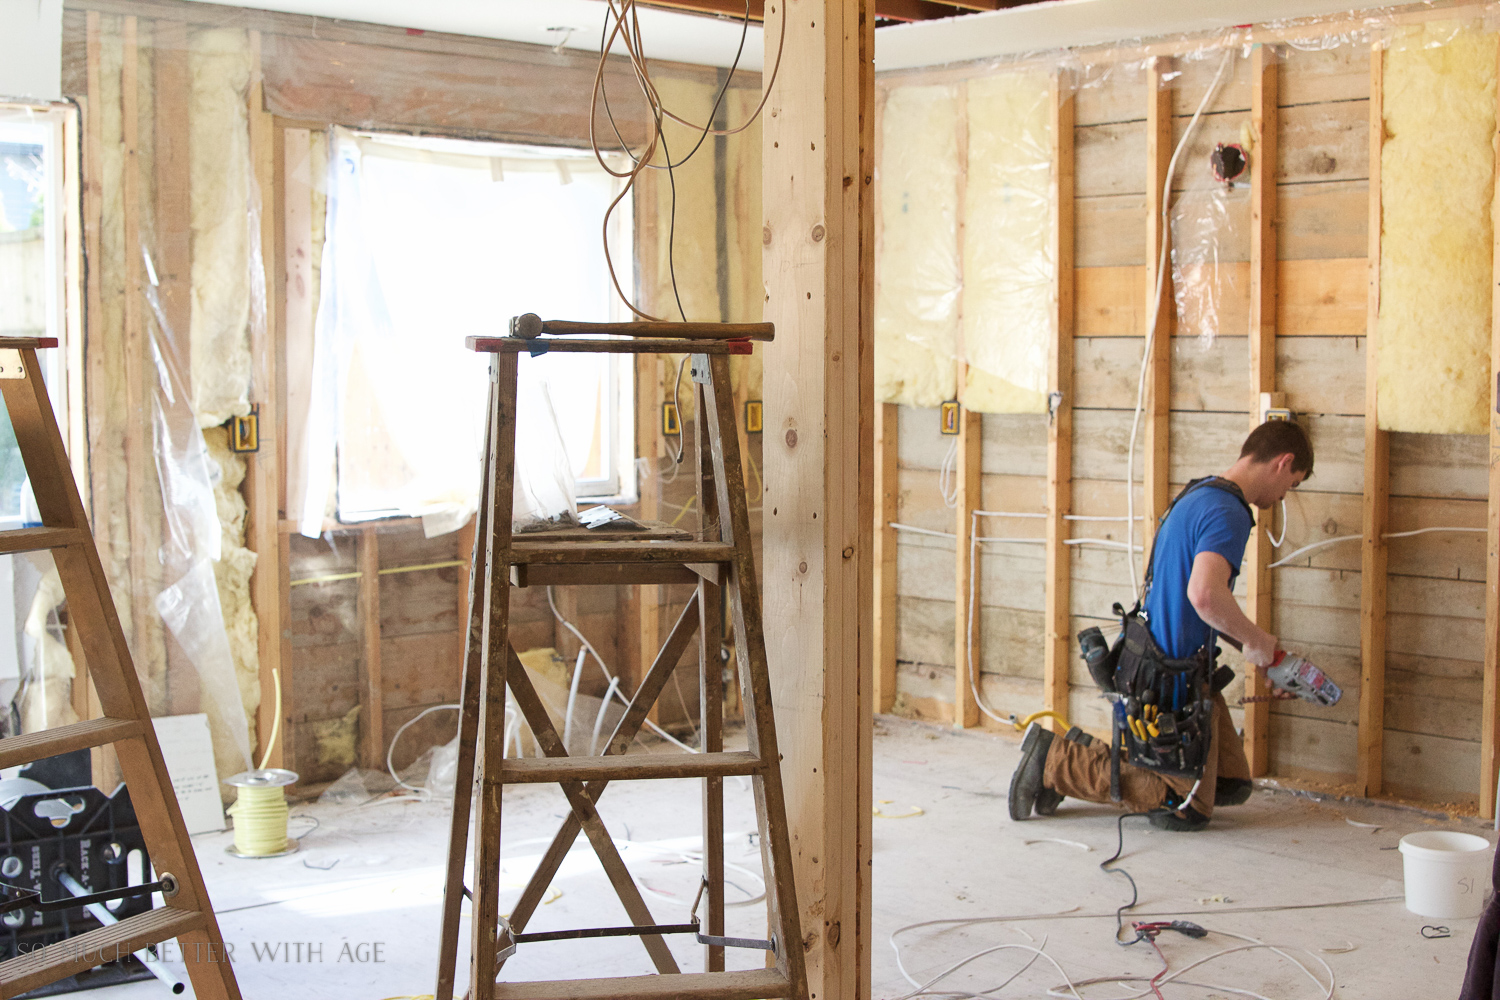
[[1057, 647]]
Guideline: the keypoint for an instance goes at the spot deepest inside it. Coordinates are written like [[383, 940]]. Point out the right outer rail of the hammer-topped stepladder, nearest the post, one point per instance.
[[755, 677]]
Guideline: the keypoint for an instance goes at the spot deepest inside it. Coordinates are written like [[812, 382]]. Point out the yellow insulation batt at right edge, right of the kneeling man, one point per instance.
[[1436, 191]]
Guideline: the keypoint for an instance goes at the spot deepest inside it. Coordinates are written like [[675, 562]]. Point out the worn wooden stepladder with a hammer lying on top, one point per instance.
[[722, 561]]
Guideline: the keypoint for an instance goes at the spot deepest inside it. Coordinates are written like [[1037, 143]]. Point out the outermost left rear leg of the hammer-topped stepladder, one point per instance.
[[469, 731]]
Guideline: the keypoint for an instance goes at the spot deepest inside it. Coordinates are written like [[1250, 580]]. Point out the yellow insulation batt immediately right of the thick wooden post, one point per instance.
[[917, 268]]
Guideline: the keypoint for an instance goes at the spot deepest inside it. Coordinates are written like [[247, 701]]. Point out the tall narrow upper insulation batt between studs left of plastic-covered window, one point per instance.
[[220, 155]]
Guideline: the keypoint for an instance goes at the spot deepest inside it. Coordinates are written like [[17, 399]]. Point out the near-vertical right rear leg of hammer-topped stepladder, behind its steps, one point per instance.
[[712, 707]]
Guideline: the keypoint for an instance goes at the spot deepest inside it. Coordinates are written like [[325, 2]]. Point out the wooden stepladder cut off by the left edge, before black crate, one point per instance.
[[127, 725]]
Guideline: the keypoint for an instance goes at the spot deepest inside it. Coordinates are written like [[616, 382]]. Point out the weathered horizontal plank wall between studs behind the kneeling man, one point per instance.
[[1435, 605]]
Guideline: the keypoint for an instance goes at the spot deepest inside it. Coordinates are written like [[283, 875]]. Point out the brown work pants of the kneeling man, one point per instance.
[[1084, 773]]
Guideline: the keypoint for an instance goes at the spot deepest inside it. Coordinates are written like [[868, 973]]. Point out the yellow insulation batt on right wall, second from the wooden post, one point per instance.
[[1009, 265]]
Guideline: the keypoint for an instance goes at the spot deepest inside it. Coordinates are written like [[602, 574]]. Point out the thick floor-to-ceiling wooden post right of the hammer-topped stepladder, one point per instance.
[[820, 377]]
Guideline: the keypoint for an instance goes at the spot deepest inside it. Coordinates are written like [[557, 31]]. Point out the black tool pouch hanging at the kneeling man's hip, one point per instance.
[[1165, 708]]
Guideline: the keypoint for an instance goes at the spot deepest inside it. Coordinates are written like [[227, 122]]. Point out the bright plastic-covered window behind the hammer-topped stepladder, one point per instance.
[[431, 242]]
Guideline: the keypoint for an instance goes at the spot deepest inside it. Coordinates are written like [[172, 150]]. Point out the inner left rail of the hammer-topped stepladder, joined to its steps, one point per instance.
[[494, 662]]
